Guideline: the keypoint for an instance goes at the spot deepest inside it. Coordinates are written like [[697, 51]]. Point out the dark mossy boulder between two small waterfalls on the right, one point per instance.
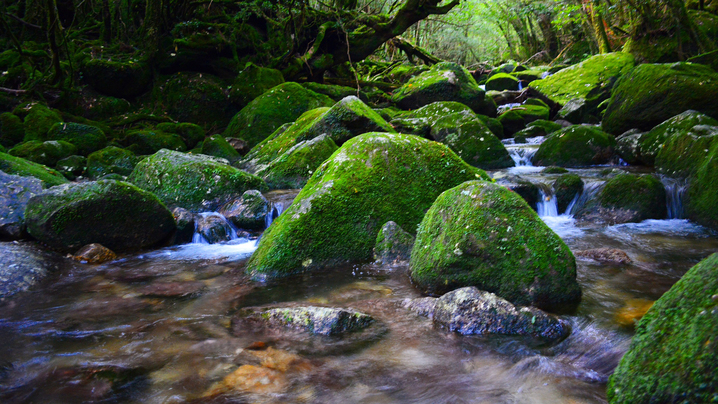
[[628, 198]]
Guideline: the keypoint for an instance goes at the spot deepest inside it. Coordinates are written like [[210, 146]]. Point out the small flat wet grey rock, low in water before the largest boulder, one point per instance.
[[318, 320]]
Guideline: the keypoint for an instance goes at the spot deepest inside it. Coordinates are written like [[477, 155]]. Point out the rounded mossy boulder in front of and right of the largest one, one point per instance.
[[482, 234]]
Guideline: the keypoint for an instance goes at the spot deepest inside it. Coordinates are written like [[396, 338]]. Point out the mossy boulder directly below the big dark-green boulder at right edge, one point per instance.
[[652, 142]]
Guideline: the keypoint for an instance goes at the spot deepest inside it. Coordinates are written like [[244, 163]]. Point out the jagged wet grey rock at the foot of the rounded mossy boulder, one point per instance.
[[470, 311]]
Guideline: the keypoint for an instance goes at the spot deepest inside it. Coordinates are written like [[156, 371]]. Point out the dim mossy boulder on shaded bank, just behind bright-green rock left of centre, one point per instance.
[[252, 82]]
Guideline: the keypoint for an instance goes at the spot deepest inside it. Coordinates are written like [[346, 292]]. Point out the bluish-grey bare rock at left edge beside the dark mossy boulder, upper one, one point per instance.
[[14, 196]]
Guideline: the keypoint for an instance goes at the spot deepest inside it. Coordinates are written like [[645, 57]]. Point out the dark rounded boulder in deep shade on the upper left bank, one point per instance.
[[123, 79]]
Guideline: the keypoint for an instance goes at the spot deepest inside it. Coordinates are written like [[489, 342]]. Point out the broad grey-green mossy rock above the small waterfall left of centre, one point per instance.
[[194, 182]]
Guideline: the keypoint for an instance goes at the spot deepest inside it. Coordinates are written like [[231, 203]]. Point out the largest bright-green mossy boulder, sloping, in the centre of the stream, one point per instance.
[[371, 179]]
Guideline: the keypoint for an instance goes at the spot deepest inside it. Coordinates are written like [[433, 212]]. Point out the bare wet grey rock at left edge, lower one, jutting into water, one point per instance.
[[22, 265]]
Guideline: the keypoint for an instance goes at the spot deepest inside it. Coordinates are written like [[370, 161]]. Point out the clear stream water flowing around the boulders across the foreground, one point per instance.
[[157, 327]]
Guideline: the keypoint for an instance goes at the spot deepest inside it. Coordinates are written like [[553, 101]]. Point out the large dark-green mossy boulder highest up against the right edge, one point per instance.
[[651, 93]]
